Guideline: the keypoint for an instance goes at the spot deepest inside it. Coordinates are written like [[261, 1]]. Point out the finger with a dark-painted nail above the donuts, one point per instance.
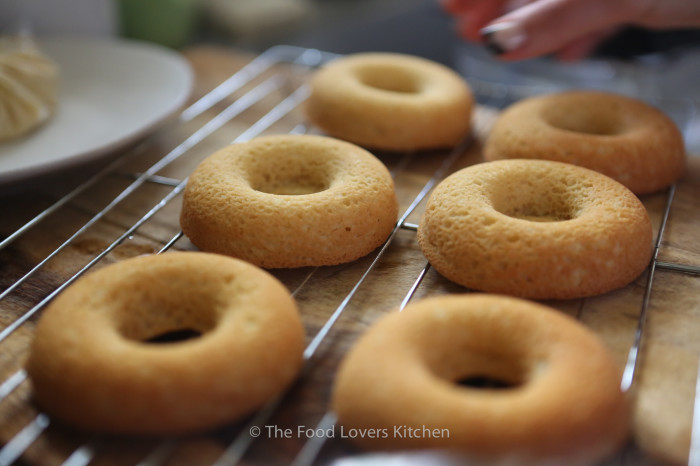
[[548, 25]]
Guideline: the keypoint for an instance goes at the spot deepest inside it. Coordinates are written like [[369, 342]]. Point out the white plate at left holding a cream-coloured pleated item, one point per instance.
[[112, 93]]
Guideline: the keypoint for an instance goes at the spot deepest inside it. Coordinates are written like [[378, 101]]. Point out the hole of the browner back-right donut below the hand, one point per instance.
[[585, 119]]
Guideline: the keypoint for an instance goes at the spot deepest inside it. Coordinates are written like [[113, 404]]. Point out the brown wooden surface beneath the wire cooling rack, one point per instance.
[[664, 384]]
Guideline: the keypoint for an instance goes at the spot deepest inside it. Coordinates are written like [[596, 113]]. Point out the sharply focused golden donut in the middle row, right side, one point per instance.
[[535, 229]]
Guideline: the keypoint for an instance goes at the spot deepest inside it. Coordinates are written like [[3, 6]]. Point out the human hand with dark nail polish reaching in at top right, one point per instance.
[[570, 29]]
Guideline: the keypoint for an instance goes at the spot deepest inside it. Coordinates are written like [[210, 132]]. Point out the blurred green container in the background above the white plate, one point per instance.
[[167, 22]]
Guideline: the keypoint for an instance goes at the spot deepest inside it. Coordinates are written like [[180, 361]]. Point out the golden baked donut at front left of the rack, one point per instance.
[[92, 363]]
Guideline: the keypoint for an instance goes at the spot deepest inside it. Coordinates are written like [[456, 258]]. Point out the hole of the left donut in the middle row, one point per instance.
[[290, 176]]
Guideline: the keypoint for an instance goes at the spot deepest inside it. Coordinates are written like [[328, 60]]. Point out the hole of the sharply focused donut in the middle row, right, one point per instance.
[[525, 200]]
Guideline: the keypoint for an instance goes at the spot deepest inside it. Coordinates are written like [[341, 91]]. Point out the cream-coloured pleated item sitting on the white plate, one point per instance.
[[28, 86]]
